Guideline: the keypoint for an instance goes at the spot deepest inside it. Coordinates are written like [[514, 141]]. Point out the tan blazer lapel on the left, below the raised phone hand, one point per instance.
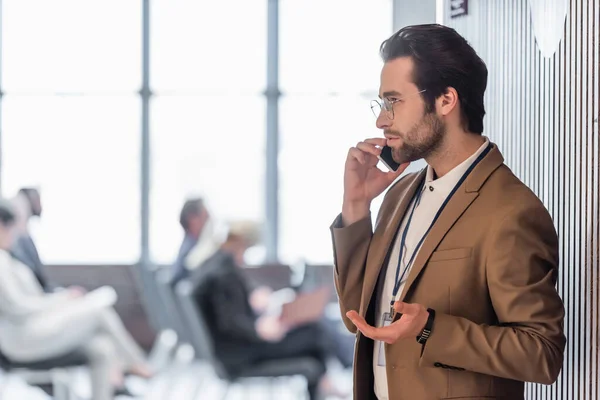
[[382, 240]]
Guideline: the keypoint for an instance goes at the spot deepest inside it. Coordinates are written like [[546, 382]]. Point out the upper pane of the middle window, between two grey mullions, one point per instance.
[[209, 45]]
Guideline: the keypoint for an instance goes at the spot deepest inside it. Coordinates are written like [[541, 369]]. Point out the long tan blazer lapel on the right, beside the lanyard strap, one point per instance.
[[458, 204]]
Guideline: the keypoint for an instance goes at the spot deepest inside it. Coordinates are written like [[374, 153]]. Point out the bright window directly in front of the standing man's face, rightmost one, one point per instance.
[[329, 73]]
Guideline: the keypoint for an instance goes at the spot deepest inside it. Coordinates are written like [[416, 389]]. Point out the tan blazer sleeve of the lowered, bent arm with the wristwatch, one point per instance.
[[528, 343]]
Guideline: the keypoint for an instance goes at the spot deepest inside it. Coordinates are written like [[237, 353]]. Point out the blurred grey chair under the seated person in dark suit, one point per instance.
[[203, 344]]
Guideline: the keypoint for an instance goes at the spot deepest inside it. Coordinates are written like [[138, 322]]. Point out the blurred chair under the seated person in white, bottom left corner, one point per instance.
[[54, 371]]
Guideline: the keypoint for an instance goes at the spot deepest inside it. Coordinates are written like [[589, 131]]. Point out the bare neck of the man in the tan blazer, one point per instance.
[[453, 153]]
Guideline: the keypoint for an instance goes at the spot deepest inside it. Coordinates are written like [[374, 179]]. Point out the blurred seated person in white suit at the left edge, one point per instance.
[[37, 326]]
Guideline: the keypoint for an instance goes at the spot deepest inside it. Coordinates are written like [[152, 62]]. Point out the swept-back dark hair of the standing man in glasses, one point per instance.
[[442, 58]]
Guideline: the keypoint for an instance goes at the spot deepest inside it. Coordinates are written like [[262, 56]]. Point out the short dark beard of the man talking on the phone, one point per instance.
[[422, 140]]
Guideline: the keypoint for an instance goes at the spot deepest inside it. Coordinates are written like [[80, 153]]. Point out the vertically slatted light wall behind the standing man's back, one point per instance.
[[543, 113]]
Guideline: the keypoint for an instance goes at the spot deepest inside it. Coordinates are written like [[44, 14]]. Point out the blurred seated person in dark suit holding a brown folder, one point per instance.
[[242, 337]]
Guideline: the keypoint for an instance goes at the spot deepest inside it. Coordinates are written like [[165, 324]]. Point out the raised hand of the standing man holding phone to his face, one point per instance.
[[363, 181]]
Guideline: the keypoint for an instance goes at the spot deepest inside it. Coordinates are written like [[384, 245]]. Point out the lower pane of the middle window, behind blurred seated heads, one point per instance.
[[212, 146]]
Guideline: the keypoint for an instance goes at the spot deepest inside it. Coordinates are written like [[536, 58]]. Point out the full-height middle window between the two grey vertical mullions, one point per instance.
[[208, 71]]
